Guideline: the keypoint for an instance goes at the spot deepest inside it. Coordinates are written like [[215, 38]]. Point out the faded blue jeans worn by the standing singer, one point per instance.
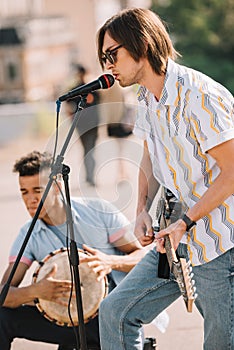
[[142, 295]]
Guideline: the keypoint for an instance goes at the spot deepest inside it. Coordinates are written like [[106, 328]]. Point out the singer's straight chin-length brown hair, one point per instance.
[[143, 34]]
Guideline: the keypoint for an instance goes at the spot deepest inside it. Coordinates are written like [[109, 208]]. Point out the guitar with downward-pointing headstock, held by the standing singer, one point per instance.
[[181, 269]]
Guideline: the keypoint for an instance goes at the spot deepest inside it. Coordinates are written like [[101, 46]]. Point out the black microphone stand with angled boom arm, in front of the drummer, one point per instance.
[[58, 168]]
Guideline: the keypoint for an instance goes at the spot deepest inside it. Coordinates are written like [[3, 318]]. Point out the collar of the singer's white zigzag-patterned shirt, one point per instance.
[[170, 93]]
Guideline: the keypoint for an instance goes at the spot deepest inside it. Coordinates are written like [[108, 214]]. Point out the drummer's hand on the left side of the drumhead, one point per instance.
[[49, 288]]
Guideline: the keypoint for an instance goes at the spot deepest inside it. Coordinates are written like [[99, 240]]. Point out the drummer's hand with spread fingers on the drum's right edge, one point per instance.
[[98, 261]]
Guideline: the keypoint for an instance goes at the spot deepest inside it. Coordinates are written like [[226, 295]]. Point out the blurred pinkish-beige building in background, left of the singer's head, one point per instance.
[[41, 39]]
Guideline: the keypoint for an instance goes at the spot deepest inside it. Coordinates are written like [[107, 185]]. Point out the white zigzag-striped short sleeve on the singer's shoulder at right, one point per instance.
[[212, 116]]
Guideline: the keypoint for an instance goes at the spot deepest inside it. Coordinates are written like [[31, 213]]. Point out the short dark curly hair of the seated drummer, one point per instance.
[[33, 163]]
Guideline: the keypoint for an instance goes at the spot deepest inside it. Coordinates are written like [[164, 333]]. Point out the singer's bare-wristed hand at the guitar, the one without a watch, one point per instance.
[[143, 228]]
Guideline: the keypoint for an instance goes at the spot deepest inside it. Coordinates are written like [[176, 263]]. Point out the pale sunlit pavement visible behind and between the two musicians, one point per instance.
[[184, 330]]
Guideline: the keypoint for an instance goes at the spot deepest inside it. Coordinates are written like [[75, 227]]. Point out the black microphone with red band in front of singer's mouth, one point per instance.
[[105, 81]]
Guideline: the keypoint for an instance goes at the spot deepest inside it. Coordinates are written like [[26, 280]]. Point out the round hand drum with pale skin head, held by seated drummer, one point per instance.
[[92, 291]]
